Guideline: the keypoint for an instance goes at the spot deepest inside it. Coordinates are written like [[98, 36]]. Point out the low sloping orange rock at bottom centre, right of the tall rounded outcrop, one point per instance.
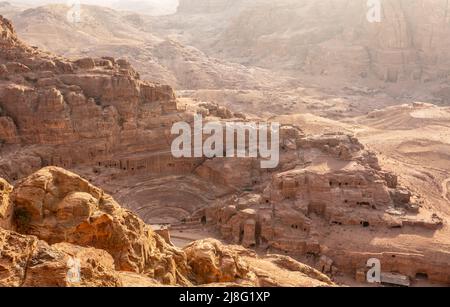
[[219, 264]]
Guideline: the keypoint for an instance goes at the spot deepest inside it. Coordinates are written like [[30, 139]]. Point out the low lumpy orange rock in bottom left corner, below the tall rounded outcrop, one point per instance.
[[26, 261]]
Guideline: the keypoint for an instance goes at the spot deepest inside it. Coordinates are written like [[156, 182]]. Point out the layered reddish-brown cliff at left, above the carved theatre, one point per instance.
[[88, 111]]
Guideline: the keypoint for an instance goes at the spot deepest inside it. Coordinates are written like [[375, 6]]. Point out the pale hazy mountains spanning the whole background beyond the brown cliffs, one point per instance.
[[226, 45]]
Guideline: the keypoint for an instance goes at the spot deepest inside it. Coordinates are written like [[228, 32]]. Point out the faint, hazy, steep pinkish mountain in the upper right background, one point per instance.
[[324, 38]]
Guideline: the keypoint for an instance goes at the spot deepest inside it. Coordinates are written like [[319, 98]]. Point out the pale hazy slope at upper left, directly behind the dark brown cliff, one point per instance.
[[107, 32]]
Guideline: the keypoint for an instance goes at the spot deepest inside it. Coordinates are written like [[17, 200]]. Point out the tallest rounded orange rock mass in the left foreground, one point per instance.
[[58, 206]]
